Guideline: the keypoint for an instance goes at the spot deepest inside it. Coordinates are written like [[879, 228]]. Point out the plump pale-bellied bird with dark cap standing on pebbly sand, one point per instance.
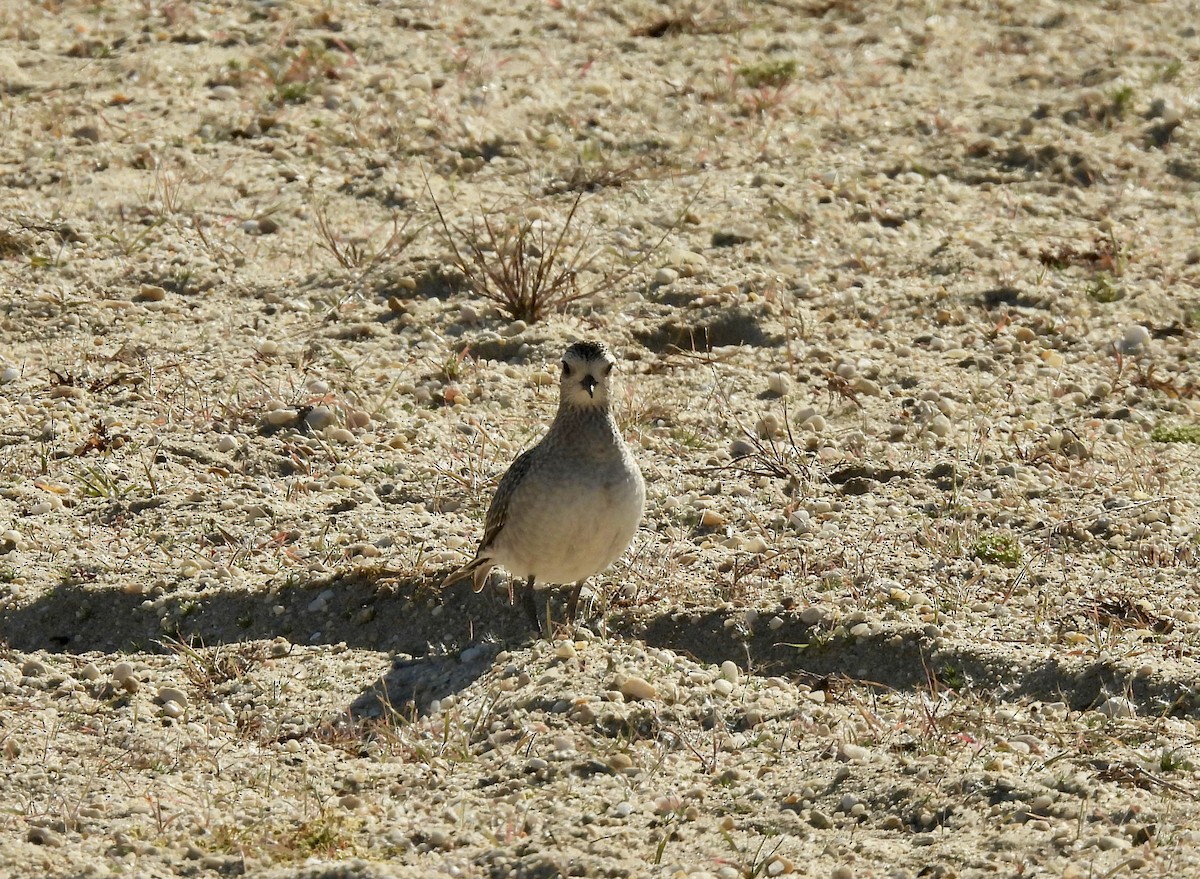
[[569, 507]]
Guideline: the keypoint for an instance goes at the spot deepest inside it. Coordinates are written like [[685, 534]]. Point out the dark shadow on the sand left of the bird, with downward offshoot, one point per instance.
[[441, 641]]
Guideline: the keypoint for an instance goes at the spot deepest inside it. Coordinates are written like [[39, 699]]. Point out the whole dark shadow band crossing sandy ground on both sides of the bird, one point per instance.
[[442, 641]]
